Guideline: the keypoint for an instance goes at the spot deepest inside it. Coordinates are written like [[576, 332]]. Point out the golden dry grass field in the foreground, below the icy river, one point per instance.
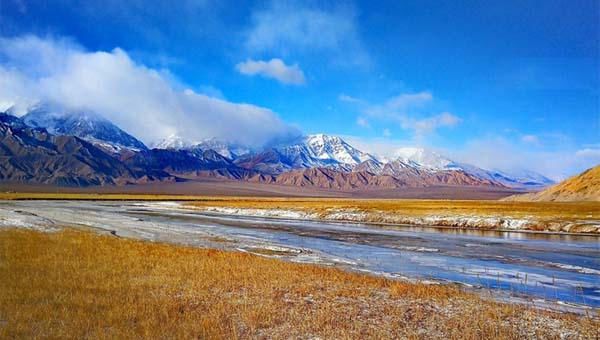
[[75, 284]]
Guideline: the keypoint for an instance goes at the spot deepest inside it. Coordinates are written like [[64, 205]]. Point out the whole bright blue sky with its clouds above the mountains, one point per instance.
[[499, 84]]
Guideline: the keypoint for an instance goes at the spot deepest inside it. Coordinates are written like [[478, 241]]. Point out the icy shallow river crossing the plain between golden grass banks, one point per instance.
[[563, 269]]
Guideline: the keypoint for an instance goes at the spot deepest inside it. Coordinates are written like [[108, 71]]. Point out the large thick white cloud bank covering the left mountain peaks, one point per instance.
[[147, 103]]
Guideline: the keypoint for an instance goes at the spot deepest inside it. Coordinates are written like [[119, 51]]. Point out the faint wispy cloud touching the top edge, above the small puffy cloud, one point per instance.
[[296, 27]]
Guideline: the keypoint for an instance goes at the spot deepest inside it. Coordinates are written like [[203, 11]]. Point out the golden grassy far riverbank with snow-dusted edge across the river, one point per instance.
[[492, 215]]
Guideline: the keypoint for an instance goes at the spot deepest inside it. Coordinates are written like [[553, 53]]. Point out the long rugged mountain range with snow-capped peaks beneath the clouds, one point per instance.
[[54, 145]]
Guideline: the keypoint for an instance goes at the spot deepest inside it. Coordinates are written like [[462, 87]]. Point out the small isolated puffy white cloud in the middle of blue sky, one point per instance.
[[274, 68]]
